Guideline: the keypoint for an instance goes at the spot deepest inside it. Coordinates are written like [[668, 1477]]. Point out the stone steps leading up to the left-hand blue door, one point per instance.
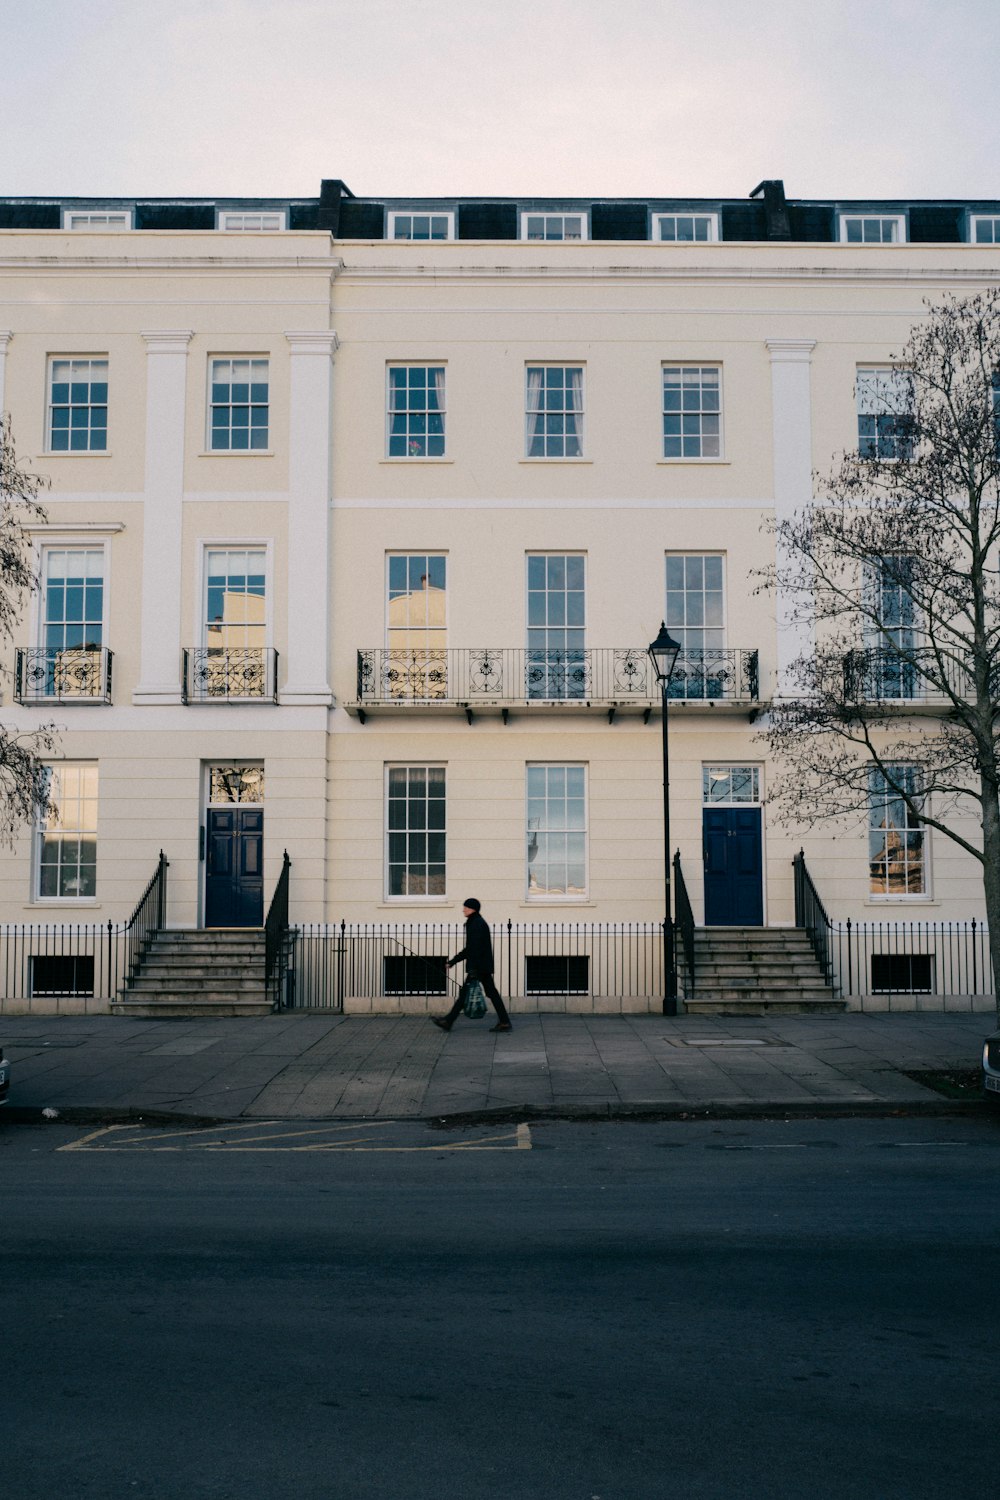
[[208, 973]]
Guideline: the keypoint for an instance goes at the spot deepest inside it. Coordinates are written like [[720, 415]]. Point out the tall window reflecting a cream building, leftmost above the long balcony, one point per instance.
[[416, 626]]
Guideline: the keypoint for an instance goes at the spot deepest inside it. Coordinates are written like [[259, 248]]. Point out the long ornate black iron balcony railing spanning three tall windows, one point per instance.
[[504, 676]]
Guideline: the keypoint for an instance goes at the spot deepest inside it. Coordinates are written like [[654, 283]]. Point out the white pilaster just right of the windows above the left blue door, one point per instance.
[[310, 455]]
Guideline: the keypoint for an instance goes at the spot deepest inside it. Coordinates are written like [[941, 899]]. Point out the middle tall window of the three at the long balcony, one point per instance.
[[557, 622]]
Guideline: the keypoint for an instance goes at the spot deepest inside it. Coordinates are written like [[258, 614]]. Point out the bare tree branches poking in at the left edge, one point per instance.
[[23, 773]]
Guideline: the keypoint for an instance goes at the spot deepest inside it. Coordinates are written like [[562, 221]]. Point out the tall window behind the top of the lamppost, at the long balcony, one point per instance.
[[696, 617]]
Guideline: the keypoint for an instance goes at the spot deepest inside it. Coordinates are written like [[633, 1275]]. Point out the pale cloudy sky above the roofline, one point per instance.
[[522, 98]]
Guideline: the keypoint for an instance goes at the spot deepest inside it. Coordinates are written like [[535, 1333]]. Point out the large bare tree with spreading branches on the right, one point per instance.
[[893, 572]]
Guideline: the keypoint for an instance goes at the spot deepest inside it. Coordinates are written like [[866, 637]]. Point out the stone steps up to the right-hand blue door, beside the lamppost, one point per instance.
[[758, 971]]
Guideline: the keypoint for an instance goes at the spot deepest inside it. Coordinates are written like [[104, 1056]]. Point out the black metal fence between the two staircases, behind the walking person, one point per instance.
[[334, 964]]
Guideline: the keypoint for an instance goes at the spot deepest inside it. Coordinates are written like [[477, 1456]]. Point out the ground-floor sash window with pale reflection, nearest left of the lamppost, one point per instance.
[[557, 830]]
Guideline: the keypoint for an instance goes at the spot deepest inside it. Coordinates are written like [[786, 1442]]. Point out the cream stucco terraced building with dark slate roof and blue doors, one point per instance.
[[364, 514]]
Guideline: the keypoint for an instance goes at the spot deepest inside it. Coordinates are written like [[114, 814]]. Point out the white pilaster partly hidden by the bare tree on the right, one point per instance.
[[792, 412]]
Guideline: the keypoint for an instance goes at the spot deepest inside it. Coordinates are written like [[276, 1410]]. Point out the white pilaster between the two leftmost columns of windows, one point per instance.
[[164, 491]]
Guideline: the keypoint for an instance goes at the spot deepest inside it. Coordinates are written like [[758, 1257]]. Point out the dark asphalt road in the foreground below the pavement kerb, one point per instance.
[[659, 1312]]
